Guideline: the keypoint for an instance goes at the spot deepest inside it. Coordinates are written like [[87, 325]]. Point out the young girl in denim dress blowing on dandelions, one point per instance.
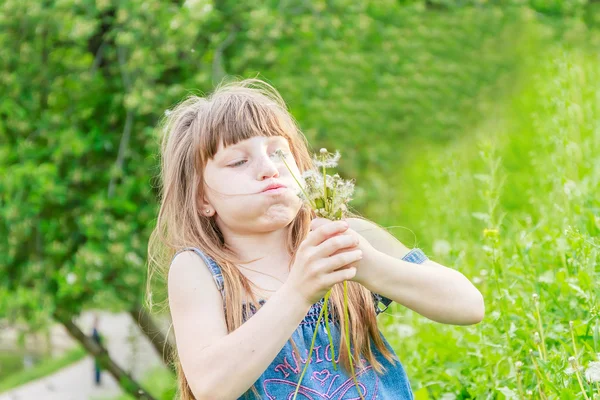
[[248, 265]]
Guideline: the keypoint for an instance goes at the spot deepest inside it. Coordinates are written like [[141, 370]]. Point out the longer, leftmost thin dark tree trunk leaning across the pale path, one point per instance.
[[126, 382]]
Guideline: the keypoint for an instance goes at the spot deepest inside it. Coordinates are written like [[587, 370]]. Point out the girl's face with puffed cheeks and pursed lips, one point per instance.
[[236, 183]]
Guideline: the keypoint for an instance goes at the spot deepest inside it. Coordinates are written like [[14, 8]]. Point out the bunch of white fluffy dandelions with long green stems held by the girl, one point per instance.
[[328, 196]]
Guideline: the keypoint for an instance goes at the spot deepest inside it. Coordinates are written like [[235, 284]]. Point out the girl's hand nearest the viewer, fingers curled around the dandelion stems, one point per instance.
[[318, 265]]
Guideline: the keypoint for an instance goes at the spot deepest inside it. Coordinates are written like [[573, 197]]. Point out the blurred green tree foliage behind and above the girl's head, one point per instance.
[[84, 83]]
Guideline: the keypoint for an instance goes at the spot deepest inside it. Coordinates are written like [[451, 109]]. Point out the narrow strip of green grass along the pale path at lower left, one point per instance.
[[42, 369]]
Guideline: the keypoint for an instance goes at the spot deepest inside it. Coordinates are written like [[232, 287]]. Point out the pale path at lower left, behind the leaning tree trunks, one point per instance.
[[126, 345]]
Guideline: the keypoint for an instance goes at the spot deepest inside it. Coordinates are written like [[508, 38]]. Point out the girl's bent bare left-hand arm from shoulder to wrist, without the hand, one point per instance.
[[218, 365]]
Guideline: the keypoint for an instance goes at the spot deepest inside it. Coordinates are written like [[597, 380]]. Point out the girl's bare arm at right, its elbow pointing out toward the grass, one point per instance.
[[437, 292]]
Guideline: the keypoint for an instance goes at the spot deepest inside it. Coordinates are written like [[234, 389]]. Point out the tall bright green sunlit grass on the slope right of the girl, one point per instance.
[[515, 207]]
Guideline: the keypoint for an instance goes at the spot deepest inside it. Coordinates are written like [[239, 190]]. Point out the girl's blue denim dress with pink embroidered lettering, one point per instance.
[[321, 381]]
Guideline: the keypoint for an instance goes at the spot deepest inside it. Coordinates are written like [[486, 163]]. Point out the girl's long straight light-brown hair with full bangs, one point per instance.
[[192, 131]]
